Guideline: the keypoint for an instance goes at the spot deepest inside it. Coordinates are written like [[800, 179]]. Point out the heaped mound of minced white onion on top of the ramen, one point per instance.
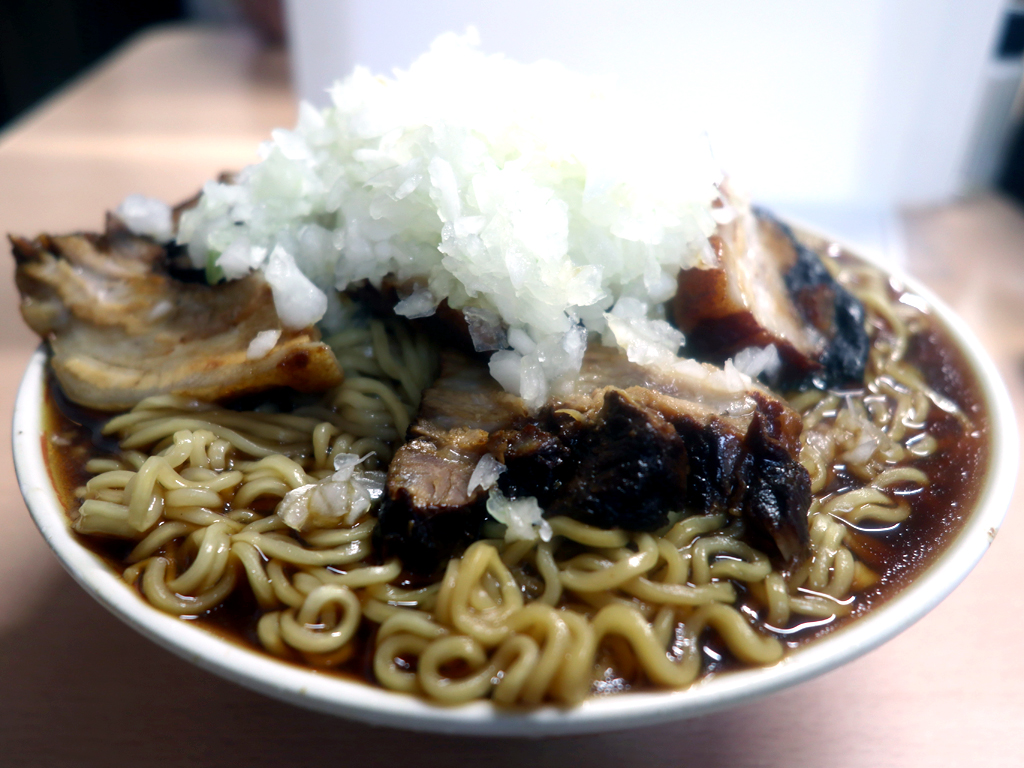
[[523, 193]]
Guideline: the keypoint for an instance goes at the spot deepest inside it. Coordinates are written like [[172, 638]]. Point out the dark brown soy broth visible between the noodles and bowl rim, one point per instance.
[[957, 471]]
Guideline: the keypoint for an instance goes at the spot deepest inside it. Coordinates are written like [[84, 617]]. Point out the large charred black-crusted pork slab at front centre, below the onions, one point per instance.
[[654, 441]]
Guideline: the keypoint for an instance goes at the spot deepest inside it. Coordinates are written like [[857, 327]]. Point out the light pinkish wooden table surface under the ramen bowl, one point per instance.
[[77, 688]]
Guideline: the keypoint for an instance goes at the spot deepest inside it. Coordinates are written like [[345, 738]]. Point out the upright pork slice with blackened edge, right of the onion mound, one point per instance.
[[767, 288]]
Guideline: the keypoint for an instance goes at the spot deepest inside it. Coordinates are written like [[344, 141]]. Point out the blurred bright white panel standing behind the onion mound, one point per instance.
[[835, 113]]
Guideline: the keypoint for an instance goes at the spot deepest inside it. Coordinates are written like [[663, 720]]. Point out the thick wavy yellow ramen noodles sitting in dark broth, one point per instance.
[[196, 487]]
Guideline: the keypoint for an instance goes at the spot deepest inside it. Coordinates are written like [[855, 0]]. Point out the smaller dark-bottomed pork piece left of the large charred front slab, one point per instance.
[[429, 511]]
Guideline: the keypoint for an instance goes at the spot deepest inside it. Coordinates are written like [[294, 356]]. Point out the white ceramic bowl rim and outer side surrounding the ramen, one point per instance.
[[353, 700]]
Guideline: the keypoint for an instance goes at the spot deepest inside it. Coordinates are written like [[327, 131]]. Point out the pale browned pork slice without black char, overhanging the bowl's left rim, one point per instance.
[[122, 329]]
